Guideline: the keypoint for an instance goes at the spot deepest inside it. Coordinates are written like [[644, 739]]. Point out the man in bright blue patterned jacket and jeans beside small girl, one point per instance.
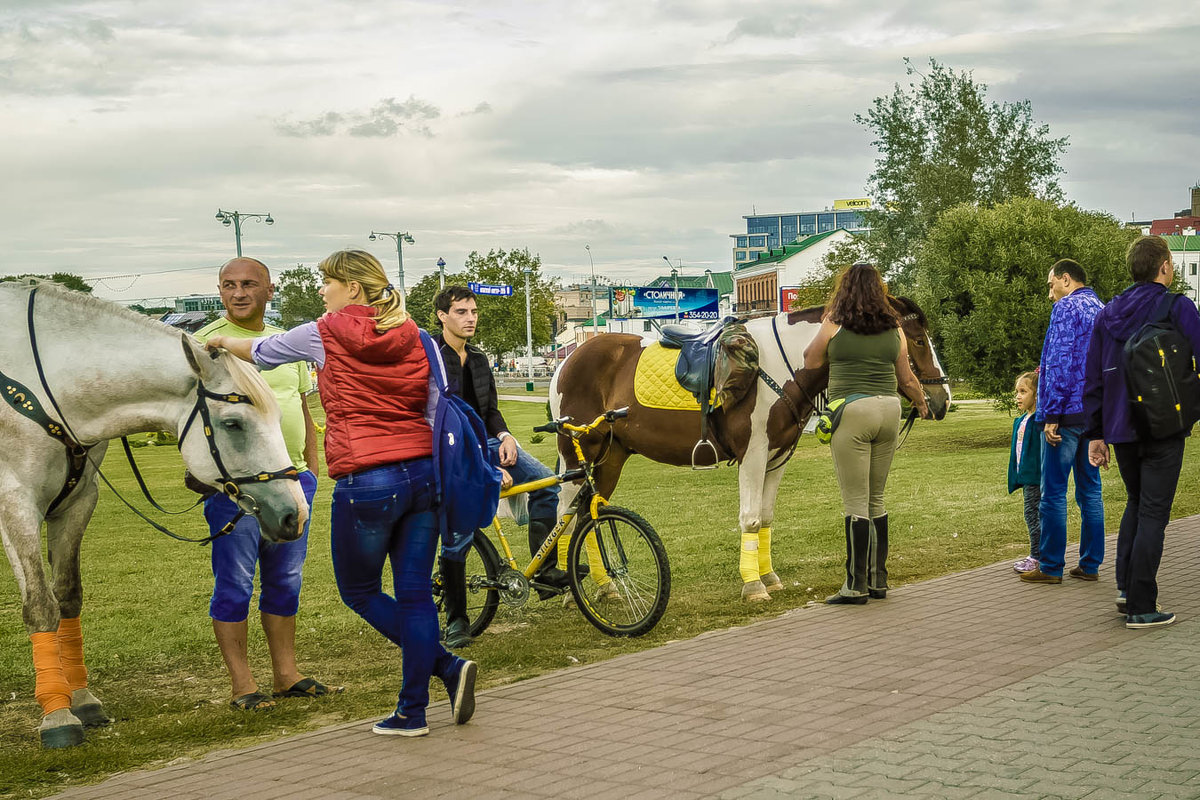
[[1061, 408]]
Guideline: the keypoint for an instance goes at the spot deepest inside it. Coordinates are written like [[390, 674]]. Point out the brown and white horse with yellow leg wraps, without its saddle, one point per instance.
[[758, 431]]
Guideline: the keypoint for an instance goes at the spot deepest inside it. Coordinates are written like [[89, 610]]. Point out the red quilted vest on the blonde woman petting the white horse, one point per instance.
[[374, 388]]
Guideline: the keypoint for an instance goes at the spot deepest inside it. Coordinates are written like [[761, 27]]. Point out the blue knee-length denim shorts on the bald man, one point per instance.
[[236, 556]]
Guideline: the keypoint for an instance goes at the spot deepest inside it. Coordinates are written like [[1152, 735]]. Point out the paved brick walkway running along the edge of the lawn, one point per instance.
[[974, 685]]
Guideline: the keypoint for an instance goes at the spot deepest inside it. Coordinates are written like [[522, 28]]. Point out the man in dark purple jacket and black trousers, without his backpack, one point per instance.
[[1150, 468]]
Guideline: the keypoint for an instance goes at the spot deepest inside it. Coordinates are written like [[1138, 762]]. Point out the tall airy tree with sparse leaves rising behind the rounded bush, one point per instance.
[[943, 143]]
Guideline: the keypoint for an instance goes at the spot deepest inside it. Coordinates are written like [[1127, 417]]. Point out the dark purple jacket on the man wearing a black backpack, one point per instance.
[[1106, 396]]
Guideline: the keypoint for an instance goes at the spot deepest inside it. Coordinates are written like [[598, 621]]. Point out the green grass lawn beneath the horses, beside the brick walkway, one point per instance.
[[154, 661]]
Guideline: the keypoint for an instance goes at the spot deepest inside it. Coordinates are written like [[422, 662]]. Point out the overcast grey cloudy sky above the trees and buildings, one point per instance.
[[639, 128]]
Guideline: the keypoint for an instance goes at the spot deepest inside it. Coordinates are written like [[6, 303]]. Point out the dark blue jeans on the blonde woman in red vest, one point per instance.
[[387, 514]]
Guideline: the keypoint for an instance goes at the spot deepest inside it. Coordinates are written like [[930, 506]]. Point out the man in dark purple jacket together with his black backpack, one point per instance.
[[1119, 389]]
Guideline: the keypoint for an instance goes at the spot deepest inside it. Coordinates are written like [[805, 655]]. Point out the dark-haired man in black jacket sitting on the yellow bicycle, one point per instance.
[[470, 374]]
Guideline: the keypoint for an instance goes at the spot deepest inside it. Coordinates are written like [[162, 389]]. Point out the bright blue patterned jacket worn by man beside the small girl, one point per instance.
[[1065, 358]]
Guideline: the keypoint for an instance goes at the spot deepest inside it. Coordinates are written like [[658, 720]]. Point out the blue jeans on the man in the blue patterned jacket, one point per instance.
[[1071, 456]]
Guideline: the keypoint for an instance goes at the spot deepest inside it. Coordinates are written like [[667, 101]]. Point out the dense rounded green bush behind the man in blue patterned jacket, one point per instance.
[[983, 282]]
